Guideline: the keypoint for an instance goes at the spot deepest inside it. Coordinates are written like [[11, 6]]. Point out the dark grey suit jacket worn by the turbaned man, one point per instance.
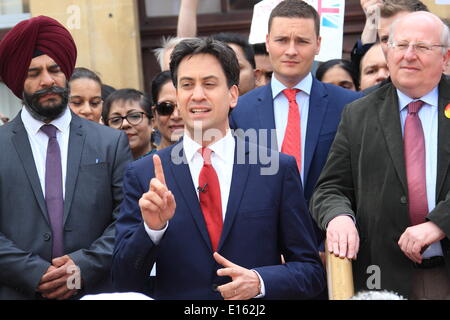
[[92, 197]]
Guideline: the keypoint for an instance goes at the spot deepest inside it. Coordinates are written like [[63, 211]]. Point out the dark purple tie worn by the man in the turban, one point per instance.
[[53, 189]]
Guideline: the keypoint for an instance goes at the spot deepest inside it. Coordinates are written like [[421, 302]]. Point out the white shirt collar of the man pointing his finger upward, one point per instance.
[[221, 147]]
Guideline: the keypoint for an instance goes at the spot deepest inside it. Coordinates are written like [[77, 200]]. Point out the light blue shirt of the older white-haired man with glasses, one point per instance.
[[428, 115]]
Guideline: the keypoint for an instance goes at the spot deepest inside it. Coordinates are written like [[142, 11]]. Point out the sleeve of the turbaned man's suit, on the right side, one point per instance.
[[95, 261]]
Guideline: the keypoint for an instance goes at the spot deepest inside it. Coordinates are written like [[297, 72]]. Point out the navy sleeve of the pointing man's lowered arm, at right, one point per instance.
[[302, 276]]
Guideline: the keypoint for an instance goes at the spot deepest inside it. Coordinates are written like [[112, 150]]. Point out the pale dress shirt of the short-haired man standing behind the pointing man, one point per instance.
[[281, 110]]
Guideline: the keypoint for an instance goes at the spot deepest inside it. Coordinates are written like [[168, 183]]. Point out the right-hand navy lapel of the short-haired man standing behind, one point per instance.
[[318, 104]]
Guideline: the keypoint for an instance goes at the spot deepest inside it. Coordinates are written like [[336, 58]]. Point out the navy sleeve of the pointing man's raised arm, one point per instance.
[[134, 252]]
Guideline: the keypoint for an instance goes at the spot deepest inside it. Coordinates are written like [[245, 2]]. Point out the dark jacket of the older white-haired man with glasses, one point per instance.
[[365, 176]]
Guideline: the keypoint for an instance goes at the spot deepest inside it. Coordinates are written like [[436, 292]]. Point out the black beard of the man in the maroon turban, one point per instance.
[[48, 113]]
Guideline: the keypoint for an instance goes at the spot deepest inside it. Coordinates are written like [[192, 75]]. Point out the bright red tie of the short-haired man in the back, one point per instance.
[[292, 141]]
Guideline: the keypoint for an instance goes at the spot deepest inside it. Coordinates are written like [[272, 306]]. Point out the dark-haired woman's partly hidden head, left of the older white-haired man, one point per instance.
[[339, 72]]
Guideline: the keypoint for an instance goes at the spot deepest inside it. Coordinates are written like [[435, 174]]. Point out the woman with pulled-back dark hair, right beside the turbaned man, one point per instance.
[[86, 94]]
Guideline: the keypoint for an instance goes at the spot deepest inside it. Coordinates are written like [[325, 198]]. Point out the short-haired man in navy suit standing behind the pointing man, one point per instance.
[[292, 42]]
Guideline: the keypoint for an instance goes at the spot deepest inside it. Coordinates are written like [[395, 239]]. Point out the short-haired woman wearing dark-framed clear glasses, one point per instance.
[[130, 110]]
